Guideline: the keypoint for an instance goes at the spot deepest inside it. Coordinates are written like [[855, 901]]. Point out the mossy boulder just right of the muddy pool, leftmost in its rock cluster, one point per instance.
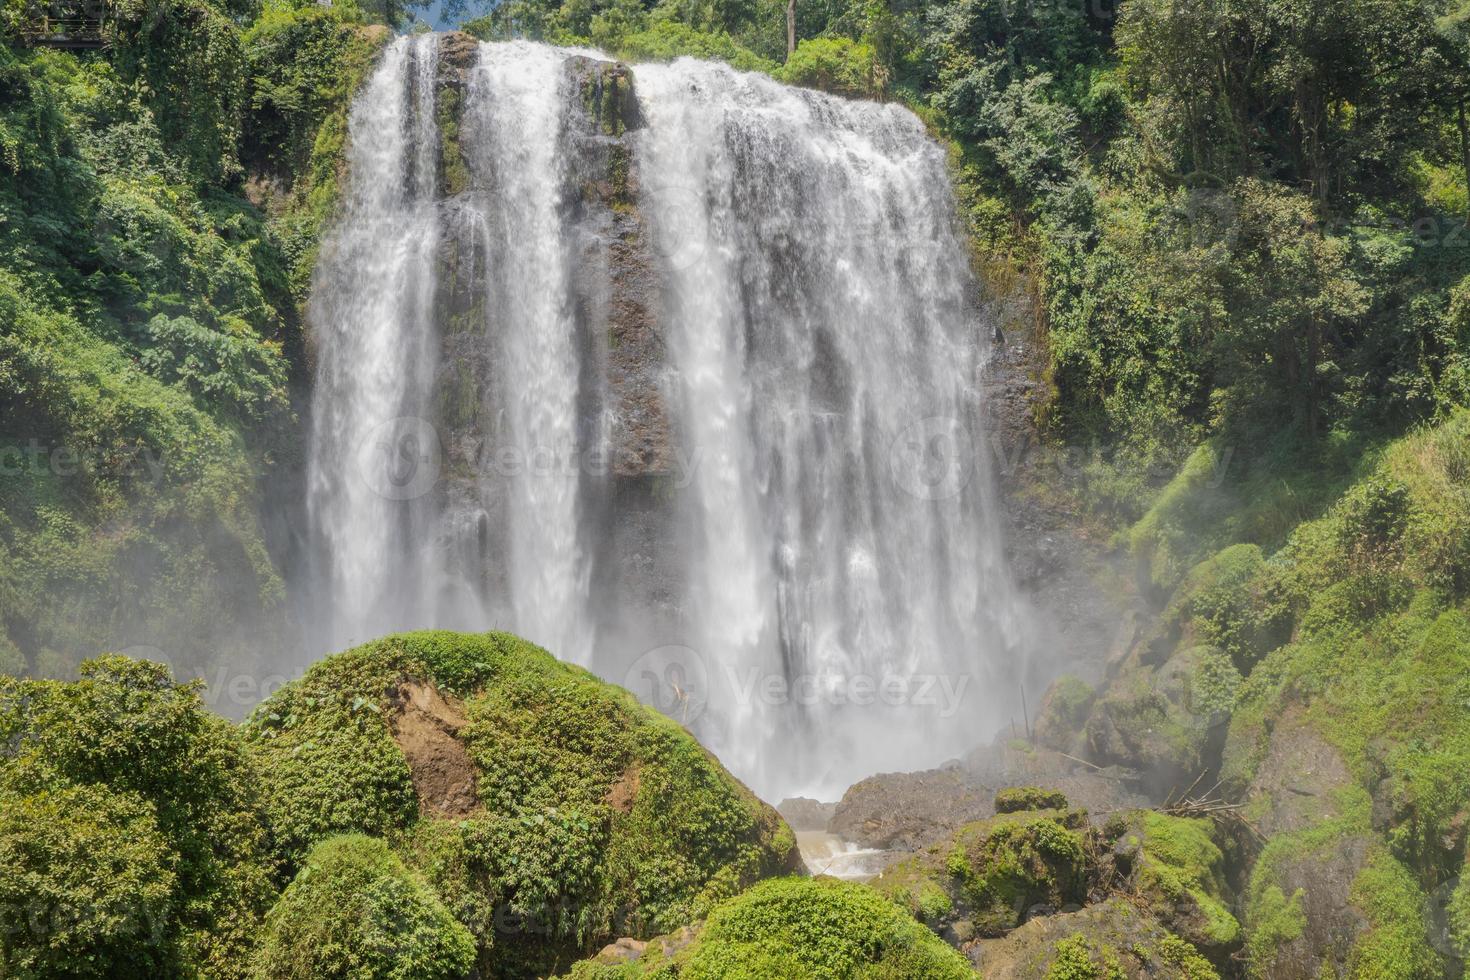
[[996, 873]]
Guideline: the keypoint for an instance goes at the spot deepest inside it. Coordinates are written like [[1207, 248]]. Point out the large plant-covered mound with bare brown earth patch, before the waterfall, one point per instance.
[[551, 810]]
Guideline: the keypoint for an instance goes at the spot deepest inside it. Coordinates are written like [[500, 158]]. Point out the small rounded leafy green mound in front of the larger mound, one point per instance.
[[356, 913]]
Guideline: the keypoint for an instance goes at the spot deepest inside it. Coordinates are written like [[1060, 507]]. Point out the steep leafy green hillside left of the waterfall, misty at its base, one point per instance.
[[151, 330]]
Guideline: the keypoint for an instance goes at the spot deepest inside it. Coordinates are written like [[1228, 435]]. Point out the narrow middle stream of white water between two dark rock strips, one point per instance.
[[515, 121]]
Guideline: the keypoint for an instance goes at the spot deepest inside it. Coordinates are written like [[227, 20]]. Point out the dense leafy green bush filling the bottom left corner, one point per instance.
[[132, 840]]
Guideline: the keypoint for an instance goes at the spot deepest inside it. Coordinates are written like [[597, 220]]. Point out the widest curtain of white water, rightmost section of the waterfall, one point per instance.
[[828, 356]]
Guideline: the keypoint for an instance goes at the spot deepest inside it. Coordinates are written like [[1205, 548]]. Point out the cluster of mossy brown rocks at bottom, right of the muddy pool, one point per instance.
[[1141, 887]]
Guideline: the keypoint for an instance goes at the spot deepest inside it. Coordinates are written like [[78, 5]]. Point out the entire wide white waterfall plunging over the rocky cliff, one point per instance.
[[674, 371]]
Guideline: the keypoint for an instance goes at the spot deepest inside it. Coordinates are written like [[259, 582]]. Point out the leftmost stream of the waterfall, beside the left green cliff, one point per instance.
[[371, 311]]
